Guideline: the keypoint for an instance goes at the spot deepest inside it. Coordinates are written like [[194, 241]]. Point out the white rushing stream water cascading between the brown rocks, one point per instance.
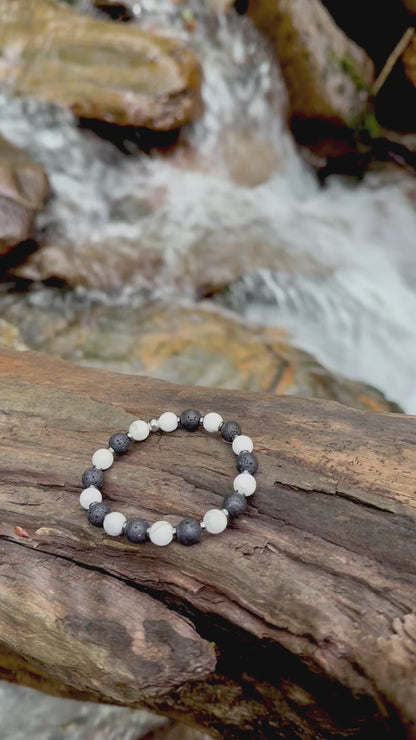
[[345, 287]]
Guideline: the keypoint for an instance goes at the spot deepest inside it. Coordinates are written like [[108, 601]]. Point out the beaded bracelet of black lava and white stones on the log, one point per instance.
[[187, 531]]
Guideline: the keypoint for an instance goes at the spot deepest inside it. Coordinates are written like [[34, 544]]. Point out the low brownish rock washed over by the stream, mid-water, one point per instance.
[[204, 267]]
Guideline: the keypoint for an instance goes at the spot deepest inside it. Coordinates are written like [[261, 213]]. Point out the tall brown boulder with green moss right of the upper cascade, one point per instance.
[[327, 74]]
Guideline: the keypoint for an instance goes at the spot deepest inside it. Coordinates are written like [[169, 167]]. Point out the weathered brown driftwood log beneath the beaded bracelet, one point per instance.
[[298, 622]]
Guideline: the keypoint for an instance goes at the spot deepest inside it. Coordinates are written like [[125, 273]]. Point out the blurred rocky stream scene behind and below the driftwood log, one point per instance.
[[210, 193]]
